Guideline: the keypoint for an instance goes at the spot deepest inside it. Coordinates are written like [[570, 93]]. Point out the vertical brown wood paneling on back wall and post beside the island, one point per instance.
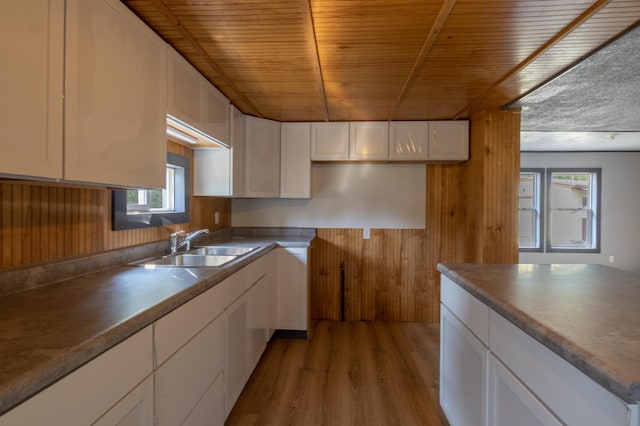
[[471, 217]]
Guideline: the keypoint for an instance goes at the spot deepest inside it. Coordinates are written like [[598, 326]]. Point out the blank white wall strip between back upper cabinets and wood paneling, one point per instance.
[[346, 196]]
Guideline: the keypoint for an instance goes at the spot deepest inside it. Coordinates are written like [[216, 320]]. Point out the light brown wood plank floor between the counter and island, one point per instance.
[[351, 373]]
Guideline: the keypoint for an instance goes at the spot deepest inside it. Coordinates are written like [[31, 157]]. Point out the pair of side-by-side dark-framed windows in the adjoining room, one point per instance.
[[565, 211]]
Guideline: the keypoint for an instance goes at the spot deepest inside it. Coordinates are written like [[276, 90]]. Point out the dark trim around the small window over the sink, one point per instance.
[[121, 220]]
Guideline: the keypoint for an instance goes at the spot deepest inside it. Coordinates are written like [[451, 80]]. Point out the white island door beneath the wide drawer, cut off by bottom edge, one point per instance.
[[512, 403]]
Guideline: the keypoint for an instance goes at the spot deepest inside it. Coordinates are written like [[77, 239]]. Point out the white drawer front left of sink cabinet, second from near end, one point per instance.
[[177, 327]]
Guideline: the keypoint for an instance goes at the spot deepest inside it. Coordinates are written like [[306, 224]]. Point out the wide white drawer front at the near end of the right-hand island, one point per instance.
[[569, 393]]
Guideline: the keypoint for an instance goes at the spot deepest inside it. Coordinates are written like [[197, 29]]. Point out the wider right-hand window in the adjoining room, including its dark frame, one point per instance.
[[573, 210]]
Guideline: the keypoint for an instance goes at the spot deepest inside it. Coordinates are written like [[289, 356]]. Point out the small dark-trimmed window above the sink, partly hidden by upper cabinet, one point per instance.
[[139, 208]]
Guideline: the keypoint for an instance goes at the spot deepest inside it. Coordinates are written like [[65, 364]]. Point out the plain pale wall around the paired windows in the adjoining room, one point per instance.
[[620, 211]]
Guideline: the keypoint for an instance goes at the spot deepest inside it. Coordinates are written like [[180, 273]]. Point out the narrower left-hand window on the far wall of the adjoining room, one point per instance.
[[529, 210]]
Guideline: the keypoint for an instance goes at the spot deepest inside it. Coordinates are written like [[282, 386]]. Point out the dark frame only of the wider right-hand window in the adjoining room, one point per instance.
[[596, 223]]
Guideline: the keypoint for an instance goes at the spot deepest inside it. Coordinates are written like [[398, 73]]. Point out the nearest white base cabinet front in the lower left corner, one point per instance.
[[92, 391]]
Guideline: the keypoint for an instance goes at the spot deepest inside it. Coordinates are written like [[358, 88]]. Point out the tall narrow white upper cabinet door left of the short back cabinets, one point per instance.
[[295, 172]]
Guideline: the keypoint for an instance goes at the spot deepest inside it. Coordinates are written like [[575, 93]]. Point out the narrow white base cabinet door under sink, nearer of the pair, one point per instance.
[[236, 362]]
